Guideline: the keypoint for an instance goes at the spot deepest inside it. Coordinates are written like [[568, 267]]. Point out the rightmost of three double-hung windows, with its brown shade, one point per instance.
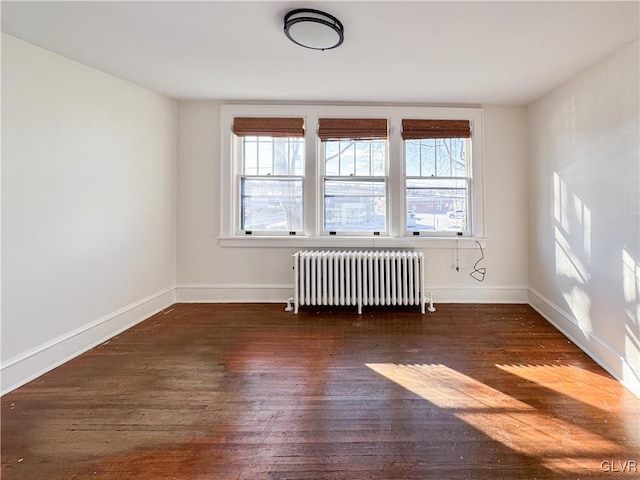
[[438, 176]]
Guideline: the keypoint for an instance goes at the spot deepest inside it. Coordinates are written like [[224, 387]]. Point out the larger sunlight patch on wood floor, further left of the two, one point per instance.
[[501, 417]]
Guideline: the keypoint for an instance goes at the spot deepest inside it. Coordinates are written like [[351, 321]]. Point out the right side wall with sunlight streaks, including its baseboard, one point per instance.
[[584, 247]]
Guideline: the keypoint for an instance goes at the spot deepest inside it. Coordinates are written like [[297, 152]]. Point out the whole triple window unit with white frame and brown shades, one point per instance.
[[351, 176]]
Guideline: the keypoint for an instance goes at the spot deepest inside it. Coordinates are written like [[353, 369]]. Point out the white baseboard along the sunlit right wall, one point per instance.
[[598, 349]]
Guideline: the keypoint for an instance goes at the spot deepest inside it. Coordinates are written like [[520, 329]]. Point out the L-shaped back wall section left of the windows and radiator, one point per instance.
[[207, 272]]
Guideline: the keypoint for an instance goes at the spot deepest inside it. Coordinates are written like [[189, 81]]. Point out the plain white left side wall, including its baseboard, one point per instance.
[[88, 207]]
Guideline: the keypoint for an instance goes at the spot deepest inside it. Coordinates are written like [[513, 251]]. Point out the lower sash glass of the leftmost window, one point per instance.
[[271, 204]]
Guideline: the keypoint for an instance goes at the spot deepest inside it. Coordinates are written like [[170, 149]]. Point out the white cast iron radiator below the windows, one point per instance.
[[377, 277]]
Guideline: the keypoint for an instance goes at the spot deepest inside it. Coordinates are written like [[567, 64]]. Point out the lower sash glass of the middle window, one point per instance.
[[354, 205]]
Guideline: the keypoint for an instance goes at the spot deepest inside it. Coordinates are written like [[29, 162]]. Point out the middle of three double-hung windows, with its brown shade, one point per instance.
[[354, 179]]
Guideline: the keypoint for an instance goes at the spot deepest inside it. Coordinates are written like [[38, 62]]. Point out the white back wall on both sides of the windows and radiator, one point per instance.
[[209, 272]]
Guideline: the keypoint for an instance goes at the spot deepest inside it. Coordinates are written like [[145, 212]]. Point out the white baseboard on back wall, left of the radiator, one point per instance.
[[233, 293]]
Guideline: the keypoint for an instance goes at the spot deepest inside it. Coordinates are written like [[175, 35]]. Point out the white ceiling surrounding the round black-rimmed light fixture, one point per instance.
[[416, 52]]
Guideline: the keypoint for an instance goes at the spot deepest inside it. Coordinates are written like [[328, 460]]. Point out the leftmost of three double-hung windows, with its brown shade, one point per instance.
[[271, 180]]
